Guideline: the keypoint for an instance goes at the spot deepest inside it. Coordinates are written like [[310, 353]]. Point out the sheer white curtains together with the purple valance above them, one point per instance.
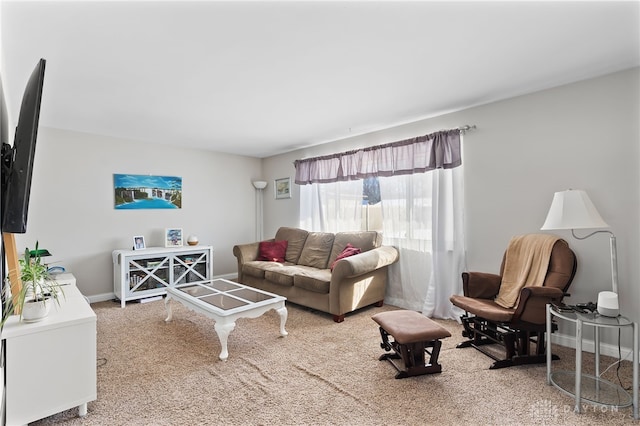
[[422, 207]]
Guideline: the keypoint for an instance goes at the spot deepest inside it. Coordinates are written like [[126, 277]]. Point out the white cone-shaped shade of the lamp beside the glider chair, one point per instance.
[[572, 209]]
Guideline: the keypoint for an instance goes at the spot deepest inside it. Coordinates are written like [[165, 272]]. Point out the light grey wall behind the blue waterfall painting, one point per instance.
[[72, 202]]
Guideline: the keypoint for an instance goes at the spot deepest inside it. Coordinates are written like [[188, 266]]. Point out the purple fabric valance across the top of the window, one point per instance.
[[440, 150]]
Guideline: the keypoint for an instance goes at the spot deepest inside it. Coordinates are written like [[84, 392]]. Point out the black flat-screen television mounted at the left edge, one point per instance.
[[17, 161]]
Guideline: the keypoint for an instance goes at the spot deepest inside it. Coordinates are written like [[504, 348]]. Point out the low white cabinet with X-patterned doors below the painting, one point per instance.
[[148, 272]]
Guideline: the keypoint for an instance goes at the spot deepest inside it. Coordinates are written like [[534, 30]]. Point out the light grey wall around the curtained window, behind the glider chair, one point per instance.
[[583, 136]]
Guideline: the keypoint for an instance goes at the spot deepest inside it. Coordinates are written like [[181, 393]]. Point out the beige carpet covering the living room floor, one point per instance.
[[156, 373]]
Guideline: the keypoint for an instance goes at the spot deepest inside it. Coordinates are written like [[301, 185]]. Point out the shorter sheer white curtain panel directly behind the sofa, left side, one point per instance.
[[331, 207]]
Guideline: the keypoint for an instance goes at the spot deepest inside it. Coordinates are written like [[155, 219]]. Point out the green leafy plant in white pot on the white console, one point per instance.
[[38, 289]]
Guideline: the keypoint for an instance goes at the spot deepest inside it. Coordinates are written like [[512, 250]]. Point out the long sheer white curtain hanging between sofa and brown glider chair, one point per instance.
[[423, 218]]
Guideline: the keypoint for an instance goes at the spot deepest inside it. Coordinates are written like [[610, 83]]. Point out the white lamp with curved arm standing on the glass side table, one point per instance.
[[572, 209]]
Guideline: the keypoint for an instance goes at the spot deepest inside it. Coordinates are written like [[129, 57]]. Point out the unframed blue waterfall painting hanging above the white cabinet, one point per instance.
[[147, 192]]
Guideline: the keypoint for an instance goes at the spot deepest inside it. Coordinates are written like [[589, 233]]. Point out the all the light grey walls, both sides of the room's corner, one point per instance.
[[584, 136]]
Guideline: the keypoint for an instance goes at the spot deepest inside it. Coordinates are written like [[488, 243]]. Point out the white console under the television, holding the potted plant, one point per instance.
[[50, 365]]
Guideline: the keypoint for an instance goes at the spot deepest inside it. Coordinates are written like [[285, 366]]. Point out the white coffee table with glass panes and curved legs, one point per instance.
[[225, 301]]
